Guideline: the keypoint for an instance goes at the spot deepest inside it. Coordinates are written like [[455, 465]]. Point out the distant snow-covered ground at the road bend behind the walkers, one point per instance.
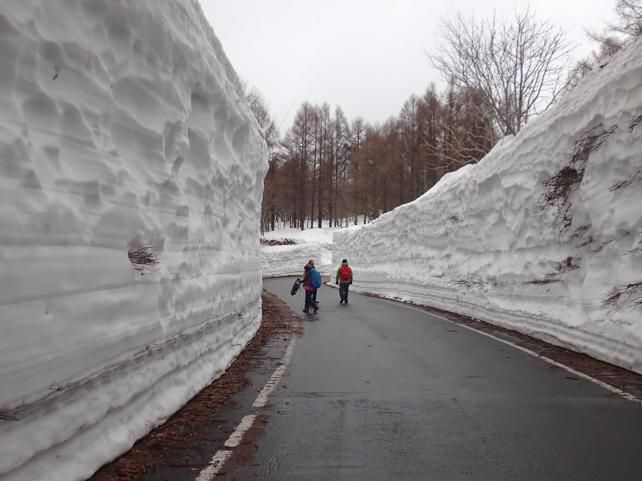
[[289, 259]]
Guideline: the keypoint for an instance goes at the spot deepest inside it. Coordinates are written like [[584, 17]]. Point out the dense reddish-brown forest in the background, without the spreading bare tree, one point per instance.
[[327, 168]]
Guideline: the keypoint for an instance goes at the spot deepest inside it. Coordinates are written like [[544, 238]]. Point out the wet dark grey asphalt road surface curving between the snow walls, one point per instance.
[[381, 391]]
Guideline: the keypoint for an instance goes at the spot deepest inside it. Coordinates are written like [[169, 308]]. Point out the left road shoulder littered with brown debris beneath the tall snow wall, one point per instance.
[[184, 445]]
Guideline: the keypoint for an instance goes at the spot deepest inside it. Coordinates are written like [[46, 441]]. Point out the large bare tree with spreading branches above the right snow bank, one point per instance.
[[519, 65]]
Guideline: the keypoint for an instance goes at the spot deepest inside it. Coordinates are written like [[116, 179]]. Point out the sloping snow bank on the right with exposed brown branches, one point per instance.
[[494, 242]]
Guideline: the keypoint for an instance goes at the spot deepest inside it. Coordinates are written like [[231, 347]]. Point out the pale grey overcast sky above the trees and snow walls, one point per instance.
[[368, 56]]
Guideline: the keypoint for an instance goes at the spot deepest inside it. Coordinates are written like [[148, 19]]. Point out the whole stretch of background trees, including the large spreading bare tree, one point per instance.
[[328, 170]]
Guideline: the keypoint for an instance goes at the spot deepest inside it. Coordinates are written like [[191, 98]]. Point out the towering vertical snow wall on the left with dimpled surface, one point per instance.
[[122, 128]]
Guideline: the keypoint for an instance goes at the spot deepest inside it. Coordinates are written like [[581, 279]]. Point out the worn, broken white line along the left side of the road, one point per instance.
[[218, 460]]
